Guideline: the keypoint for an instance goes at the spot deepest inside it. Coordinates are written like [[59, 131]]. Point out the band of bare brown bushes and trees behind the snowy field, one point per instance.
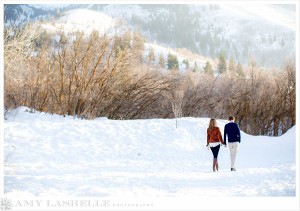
[[89, 76]]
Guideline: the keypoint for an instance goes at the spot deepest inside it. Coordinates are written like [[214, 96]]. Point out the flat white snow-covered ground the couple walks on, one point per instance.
[[51, 155]]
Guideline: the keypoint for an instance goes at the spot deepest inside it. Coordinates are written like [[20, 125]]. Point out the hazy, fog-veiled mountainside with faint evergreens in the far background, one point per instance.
[[264, 32]]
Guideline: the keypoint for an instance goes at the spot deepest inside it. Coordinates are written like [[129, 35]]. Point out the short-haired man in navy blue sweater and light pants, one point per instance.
[[232, 132]]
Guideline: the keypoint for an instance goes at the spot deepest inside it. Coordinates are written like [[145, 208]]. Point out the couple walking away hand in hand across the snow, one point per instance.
[[214, 140]]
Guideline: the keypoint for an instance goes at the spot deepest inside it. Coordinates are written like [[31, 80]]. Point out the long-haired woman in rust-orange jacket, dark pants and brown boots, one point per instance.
[[214, 139]]
